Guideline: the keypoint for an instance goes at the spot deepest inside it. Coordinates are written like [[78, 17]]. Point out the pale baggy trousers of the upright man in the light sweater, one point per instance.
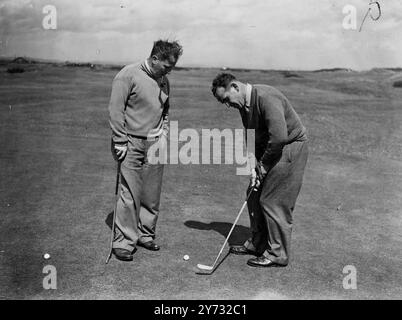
[[138, 206]]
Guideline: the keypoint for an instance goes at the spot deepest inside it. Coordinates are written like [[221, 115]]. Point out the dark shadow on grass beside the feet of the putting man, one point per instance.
[[239, 235]]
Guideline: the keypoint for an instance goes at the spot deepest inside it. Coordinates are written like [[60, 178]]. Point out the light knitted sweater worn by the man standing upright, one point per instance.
[[139, 104]]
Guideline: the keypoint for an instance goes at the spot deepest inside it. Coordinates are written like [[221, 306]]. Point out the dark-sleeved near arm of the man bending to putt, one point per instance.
[[273, 112]]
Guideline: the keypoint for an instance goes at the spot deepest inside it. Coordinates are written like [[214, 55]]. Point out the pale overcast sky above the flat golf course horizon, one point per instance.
[[281, 34]]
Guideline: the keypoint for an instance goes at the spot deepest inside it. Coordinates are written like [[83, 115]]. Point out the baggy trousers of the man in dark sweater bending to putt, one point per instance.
[[271, 208]]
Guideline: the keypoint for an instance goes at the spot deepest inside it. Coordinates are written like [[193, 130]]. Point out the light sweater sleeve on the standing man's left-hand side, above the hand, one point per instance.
[[120, 91]]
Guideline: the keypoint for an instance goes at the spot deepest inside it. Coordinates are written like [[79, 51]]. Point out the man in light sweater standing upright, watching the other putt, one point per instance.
[[138, 111]]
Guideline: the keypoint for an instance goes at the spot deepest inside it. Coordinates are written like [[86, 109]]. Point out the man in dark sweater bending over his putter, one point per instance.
[[280, 158]]
